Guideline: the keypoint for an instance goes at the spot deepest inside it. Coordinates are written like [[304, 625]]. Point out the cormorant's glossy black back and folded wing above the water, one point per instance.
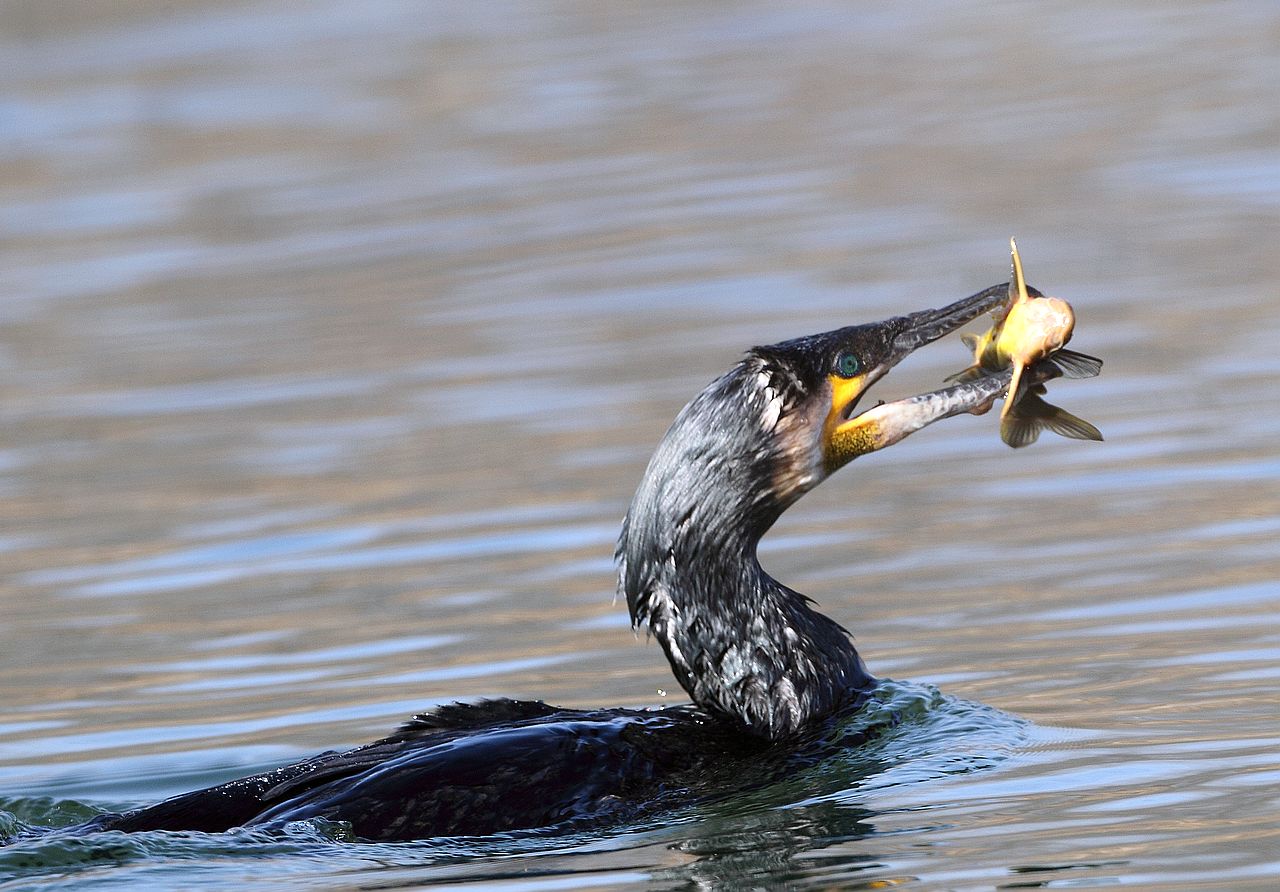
[[468, 770]]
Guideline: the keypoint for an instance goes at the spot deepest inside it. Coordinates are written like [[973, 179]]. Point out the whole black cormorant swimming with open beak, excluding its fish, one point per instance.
[[766, 673]]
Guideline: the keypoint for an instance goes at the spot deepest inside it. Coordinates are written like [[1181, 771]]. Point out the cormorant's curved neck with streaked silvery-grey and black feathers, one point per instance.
[[743, 646]]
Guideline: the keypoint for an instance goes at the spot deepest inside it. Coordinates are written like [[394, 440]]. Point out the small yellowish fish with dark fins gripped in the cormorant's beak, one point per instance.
[[1031, 332]]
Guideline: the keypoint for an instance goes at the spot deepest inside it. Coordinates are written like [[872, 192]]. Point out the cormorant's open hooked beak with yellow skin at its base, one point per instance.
[[849, 434]]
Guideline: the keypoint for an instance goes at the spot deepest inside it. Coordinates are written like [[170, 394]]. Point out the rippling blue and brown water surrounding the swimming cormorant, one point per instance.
[[333, 344]]
